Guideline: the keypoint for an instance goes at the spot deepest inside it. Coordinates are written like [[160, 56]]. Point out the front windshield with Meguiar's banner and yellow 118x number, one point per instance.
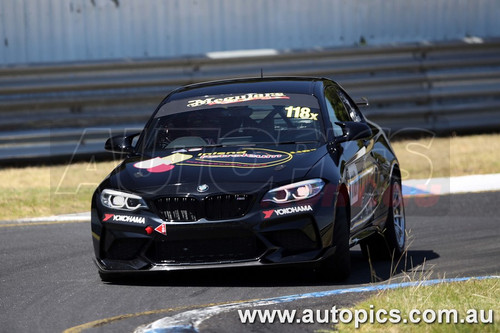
[[235, 119]]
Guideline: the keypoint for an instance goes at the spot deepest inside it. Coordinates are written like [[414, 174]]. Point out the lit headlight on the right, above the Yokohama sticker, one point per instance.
[[295, 192]]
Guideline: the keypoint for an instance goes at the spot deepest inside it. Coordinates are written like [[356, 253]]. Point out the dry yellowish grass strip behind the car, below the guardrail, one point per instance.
[[52, 190]]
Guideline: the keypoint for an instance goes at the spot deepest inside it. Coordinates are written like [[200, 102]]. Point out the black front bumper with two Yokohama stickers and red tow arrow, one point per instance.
[[295, 233]]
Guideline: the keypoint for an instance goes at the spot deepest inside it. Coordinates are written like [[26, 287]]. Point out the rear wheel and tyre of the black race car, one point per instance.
[[390, 244]]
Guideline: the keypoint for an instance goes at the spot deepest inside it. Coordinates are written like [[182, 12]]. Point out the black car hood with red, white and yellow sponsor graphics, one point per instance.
[[224, 169]]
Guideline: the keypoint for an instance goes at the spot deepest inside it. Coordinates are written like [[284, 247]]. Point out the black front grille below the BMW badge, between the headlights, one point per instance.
[[214, 207]]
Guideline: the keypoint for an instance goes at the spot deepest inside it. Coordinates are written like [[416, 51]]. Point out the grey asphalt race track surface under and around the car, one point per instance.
[[48, 282]]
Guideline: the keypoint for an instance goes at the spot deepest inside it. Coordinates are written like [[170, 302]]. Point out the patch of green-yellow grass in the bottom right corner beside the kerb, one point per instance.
[[461, 296]]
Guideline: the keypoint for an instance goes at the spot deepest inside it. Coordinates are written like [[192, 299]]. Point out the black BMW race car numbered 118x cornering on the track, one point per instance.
[[261, 171]]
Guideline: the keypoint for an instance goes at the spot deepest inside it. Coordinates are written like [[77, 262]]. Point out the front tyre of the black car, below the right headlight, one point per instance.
[[338, 266]]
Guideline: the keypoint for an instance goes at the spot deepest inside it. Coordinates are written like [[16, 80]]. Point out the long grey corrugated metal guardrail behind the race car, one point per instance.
[[70, 109]]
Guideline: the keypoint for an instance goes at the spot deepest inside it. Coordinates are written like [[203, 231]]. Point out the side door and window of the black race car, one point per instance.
[[360, 168]]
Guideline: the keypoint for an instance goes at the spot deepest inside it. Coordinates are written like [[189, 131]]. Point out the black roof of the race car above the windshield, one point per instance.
[[302, 85]]
